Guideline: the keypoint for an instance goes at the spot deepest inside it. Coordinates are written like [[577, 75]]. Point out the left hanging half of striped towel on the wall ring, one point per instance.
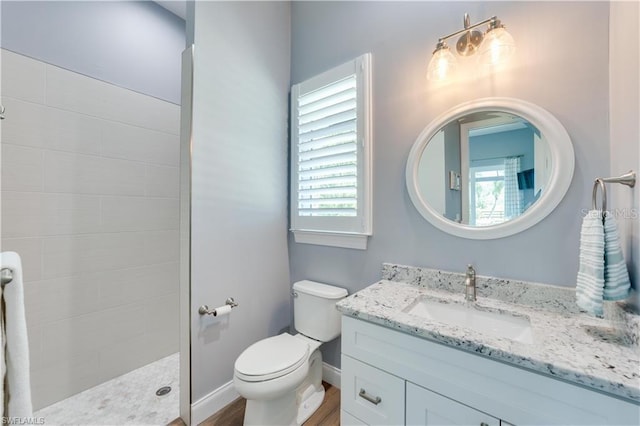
[[590, 281]]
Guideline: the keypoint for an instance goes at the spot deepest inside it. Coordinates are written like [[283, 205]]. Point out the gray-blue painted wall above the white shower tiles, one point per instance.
[[135, 45]]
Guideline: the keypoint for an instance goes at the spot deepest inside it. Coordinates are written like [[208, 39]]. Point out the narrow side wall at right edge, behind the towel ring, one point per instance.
[[625, 127]]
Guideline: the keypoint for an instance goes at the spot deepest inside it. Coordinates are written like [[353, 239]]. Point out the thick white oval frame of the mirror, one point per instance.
[[562, 166]]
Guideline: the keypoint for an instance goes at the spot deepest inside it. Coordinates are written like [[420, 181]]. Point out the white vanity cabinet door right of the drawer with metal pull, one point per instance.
[[424, 407]]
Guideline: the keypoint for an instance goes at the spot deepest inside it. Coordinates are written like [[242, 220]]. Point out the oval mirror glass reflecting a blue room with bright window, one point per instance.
[[484, 168]]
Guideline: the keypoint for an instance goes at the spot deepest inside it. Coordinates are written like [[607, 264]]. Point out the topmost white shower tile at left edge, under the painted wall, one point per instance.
[[22, 77]]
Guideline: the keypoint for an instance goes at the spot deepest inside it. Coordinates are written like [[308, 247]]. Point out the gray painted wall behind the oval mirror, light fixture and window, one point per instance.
[[568, 79]]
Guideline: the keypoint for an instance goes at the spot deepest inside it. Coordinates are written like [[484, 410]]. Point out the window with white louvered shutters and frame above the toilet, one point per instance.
[[331, 156]]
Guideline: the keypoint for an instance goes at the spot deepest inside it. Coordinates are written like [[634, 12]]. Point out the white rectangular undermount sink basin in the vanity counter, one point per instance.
[[470, 316]]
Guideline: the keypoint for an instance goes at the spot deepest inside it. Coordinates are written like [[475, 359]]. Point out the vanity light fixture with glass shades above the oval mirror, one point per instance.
[[494, 47]]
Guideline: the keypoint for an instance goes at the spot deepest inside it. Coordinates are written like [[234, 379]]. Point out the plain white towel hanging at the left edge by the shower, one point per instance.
[[16, 389]]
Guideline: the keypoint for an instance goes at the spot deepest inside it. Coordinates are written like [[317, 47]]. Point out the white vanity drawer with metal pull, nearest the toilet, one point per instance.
[[371, 395]]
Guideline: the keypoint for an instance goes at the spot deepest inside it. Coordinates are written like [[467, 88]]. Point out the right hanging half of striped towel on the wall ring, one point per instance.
[[616, 275]]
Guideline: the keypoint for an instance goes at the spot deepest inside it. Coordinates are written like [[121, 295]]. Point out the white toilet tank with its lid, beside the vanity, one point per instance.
[[314, 309]]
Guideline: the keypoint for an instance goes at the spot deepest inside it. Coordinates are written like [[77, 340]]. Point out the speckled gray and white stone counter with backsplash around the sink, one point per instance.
[[598, 353]]
